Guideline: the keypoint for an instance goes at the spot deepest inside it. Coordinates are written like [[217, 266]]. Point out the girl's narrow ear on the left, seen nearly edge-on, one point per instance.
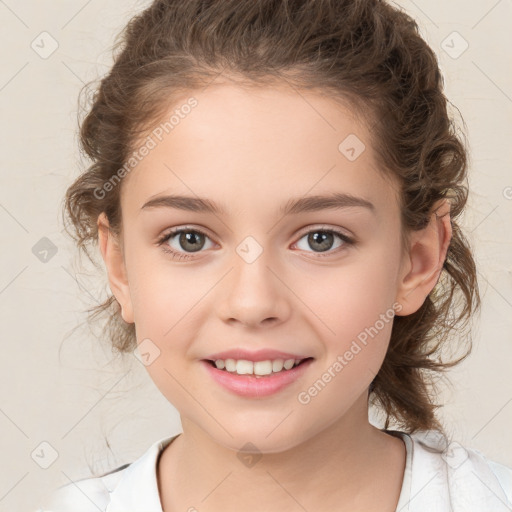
[[116, 269]]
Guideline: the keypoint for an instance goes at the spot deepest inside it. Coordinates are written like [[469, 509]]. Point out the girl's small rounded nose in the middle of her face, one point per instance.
[[255, 294]]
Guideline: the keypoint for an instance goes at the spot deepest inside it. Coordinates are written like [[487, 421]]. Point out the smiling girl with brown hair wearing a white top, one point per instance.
[[274, 189]]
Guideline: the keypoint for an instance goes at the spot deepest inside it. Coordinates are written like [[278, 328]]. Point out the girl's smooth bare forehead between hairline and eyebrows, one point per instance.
[[245, 147]]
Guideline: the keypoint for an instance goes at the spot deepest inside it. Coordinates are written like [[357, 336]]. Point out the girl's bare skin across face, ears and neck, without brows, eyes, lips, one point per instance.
[[251, 152]]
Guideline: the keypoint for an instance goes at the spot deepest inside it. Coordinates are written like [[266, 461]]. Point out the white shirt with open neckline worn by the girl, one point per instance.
[[438, 478]]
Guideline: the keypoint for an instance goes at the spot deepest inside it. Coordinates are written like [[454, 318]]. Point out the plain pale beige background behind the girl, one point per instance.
[[59, 384]]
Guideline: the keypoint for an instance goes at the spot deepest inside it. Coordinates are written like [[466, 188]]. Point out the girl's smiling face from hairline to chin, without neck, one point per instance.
[[255, 274]]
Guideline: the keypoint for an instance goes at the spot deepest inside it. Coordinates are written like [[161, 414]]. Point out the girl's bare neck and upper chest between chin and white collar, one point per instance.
[[341, 467]]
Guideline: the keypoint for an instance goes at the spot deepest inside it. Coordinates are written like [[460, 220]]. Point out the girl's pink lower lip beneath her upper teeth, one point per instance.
[[250, 386]]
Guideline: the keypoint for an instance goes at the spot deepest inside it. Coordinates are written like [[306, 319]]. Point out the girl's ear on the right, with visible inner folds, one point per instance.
[[425, 259]]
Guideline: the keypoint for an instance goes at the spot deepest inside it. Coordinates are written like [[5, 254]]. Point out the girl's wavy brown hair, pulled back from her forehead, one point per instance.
[[364, 52]]
